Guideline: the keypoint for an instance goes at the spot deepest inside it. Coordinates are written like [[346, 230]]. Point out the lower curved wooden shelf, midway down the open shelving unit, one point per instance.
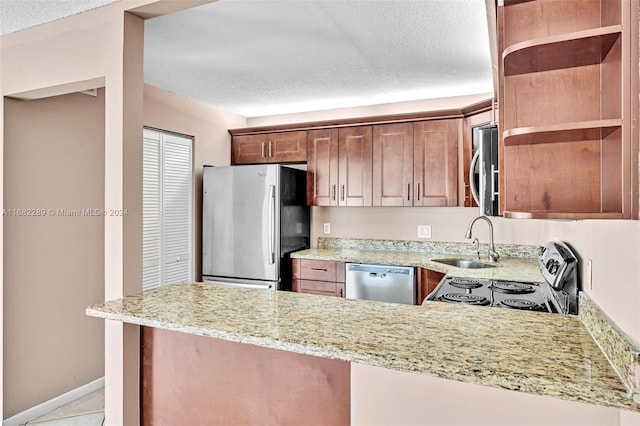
[[564, 132]]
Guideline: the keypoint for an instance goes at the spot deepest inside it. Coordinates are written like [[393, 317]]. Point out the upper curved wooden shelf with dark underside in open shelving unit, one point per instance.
[[560, 51]]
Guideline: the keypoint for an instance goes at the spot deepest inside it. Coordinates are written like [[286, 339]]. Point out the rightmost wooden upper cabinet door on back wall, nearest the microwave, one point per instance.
[[435, 145]]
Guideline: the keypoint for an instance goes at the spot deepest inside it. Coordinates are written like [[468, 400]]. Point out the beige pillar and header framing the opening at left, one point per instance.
[[99, 47]]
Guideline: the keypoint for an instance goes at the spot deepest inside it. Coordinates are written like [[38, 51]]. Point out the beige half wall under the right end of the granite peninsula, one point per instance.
[[383, 397]]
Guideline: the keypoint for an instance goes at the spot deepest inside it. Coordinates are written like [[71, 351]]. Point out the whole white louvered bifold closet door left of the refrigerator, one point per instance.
[[167, 212]]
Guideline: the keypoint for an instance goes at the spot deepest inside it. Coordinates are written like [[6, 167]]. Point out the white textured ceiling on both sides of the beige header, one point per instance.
[[264, 57]]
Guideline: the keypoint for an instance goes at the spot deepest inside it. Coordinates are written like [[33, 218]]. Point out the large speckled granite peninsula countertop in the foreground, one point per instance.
[[538, 353]]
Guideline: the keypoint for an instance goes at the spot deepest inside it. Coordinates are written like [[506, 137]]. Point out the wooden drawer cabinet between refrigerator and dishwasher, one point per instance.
[[318, 277]]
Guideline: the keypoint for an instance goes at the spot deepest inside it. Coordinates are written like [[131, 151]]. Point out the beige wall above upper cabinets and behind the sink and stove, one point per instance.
[[611, 245]]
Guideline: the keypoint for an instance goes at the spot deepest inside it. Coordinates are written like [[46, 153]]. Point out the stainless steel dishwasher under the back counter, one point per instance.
[[384, 283]]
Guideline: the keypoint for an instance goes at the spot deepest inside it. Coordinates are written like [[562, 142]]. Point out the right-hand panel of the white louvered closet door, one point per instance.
[[176, 194]]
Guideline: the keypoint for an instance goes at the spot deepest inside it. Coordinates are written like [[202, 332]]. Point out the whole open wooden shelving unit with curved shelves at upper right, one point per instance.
[[565, 110]]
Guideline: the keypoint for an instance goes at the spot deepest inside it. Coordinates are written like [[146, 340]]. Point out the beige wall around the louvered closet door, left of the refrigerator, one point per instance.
[[212, 142]]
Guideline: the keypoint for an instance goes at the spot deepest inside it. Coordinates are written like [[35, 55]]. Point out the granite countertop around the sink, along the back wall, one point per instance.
[[523, 269]]
